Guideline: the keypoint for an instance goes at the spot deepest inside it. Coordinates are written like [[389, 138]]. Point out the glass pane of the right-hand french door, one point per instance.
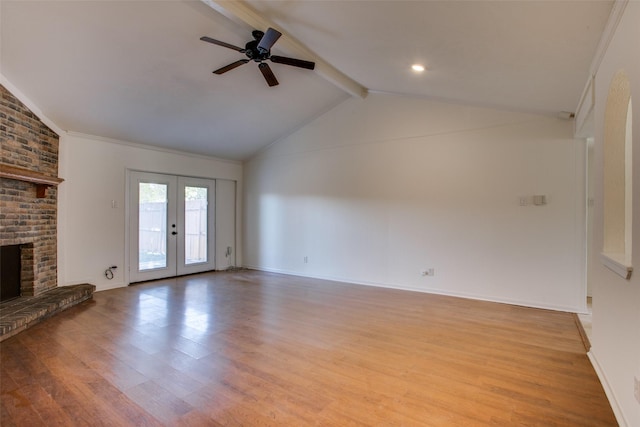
[[195, 224]]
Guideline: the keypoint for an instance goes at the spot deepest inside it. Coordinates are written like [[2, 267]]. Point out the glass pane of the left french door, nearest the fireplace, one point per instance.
[[152, 240]]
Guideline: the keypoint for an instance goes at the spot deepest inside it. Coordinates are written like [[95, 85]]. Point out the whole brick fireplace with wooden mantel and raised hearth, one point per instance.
[[28, 221]]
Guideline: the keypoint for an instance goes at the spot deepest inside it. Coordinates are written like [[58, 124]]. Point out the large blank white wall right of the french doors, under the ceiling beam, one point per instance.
[[377, 190]]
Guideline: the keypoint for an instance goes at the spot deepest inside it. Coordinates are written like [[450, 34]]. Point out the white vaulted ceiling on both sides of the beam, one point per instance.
[[137, 71]]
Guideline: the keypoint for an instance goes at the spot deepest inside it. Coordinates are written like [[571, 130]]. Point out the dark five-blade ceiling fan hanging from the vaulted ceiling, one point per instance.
[[259, 50]]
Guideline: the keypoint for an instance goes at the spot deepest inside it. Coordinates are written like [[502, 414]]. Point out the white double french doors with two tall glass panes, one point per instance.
[[172, 223]]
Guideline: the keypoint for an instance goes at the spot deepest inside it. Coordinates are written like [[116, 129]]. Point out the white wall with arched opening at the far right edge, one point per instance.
[[616, 302]]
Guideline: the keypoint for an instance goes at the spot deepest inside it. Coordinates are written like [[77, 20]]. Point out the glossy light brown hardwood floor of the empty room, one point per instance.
[[259, 349]]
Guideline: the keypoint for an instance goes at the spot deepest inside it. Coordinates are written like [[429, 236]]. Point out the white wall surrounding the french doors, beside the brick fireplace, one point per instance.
[[91, 233]]
